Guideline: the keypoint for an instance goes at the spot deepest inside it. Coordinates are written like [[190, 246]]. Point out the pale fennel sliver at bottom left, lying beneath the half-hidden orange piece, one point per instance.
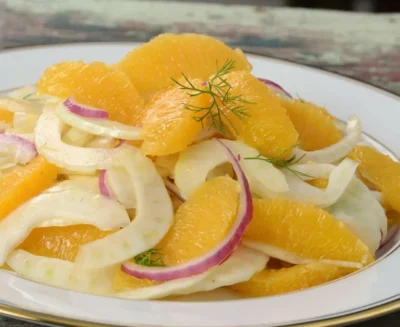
[[59, 273]]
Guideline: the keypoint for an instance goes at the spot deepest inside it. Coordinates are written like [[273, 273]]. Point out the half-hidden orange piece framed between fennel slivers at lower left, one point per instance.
[[61, 242]]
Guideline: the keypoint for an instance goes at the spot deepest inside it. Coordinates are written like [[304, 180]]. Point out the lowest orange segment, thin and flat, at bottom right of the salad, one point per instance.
[[279, 281]]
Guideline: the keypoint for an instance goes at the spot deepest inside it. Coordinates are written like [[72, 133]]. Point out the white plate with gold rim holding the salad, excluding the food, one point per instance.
[[372, 287]]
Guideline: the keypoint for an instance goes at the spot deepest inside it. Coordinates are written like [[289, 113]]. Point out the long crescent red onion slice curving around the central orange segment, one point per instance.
[[219, 253]]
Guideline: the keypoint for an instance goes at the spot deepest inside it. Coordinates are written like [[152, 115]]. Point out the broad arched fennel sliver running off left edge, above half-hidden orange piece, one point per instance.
[[76, 206]]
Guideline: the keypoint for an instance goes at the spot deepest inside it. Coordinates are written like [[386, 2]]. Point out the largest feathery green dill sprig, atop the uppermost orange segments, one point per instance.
[[221, 100]]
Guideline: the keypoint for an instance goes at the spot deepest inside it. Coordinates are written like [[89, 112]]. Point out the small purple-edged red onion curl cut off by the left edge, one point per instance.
[[24, 149]]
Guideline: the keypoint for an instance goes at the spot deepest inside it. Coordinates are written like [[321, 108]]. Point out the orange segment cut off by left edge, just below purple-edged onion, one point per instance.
[[25, 182]]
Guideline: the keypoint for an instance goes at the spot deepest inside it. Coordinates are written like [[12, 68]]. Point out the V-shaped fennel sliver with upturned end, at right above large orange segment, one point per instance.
[[339, 179]]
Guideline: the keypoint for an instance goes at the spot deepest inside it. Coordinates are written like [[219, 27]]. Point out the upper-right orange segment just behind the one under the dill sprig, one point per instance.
[[316, 128]]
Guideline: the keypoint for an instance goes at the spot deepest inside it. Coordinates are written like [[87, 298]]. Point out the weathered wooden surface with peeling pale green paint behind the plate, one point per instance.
[[364, 46]]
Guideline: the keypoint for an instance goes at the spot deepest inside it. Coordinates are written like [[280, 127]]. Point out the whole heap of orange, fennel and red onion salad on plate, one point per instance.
[[177, 171]]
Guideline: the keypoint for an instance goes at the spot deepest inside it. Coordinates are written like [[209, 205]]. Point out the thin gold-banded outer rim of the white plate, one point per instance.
[[43, 318]]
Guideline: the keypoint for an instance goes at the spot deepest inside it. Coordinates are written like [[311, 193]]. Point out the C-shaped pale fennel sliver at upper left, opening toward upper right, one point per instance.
[[49, 144]]
